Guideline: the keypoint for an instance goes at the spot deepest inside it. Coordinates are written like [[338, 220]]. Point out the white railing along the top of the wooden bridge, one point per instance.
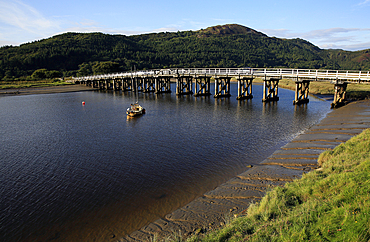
[[352, 76]]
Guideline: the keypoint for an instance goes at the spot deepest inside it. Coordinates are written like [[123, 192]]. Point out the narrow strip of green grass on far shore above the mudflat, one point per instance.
[[32, 83]]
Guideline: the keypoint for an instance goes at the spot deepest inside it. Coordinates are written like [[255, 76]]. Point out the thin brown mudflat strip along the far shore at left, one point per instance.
[[45, 90]]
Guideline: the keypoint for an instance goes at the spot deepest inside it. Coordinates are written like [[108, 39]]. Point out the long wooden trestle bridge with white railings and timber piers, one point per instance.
[[158, 81]]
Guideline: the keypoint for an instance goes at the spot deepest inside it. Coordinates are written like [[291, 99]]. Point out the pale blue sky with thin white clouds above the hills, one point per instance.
[[343, 24]]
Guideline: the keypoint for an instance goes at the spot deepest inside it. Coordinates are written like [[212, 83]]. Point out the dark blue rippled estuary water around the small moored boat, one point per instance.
[[73, 172]]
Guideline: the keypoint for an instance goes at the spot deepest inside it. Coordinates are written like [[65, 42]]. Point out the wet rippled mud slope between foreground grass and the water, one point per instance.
[[232, 198]]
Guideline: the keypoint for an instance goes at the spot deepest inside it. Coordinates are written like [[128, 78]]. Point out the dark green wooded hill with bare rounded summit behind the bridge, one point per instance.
[[78, 54]]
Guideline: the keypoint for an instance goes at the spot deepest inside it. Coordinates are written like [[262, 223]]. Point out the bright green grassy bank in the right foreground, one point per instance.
[[328, 204]]
